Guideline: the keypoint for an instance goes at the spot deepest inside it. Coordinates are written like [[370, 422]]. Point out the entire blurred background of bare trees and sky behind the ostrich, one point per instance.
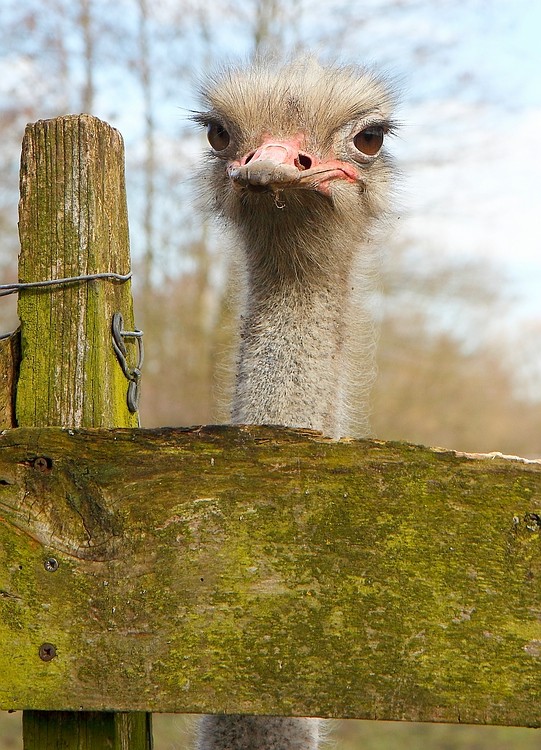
[[458, 358]]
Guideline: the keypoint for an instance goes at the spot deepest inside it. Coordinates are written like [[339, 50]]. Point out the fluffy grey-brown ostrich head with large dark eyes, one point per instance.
[[297, 161]]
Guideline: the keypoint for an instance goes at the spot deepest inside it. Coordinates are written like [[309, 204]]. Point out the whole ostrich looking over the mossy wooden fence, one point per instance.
[[296, 169]]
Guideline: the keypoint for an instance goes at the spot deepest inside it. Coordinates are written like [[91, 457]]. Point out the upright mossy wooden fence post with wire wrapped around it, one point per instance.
[[73, 221]]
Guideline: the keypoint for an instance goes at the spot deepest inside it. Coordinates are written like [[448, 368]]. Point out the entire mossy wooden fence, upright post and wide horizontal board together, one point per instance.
[[227, 569]]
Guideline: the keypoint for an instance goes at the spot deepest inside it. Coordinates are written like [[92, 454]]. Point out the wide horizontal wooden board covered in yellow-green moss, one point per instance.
[[268, 571]]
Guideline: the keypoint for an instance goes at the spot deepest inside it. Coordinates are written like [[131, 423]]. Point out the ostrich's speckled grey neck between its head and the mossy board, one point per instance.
[[293, 350]]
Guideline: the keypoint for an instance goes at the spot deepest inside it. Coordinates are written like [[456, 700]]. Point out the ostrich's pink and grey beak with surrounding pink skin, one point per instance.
[[281, 163]]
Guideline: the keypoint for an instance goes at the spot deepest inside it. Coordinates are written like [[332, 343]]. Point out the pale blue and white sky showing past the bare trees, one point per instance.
[[468, 149]]
